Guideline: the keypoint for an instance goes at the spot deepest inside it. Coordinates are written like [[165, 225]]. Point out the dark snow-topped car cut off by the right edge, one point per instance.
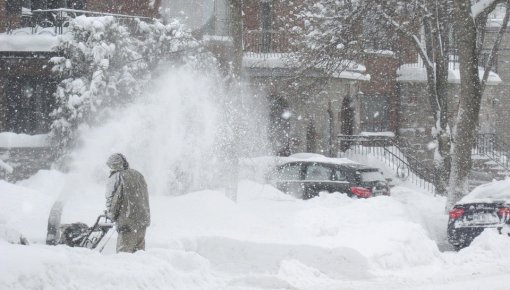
[[486, 207]]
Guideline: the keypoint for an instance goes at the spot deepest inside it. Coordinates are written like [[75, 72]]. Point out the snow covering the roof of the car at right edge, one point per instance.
[[491, 192]]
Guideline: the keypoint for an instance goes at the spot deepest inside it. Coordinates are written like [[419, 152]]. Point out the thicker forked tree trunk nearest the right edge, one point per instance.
[[470, 21]]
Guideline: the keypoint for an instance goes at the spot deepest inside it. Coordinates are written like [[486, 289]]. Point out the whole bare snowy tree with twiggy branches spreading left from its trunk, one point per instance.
[[333, 38]]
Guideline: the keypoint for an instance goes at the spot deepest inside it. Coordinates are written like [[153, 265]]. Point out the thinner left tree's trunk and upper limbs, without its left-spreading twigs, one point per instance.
[[429, 33]]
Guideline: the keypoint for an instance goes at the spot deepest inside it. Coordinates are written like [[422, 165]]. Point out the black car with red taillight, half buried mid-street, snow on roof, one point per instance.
[[307, 178]]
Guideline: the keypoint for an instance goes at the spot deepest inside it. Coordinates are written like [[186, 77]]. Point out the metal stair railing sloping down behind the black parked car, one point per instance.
[[387, 150]]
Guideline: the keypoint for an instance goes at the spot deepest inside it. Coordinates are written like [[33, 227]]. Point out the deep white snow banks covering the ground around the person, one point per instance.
[[268, 240]]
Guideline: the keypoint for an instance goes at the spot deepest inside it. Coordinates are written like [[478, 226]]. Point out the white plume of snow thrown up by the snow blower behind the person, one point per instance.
[[174, 134]]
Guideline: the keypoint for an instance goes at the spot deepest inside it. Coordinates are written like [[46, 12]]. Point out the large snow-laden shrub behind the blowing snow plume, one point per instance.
[[106, 62]]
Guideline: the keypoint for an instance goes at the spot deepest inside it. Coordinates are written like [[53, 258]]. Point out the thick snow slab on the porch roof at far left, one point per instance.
[[27, 42]]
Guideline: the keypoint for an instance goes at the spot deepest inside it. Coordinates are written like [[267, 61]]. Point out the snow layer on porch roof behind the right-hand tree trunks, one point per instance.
[[416, 72]]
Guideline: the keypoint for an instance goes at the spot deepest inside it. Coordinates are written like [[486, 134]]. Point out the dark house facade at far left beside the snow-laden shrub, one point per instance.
[[28, 31]]
